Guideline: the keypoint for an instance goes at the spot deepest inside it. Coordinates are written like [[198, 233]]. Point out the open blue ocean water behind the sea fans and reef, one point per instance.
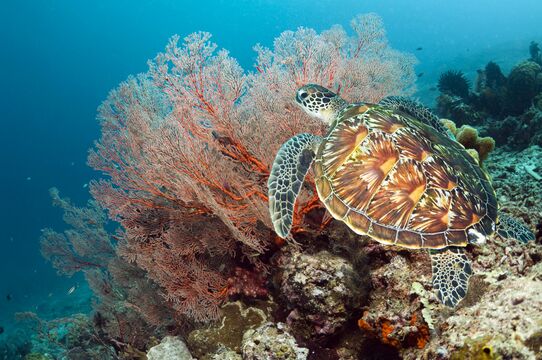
[[59, 59]]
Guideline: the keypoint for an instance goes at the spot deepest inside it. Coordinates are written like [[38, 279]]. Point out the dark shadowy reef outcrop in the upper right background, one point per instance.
[[506, 108]]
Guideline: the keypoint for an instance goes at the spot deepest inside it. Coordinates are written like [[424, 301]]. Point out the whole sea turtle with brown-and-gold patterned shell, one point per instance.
[[393, 172]]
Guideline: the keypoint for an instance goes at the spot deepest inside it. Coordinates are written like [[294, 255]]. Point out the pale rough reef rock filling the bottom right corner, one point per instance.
[[512, 306]]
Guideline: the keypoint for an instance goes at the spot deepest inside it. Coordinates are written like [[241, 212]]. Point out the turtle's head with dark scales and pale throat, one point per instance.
[[320, 102]]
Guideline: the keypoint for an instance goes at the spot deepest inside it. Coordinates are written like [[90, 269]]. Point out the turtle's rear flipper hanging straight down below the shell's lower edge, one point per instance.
[[451, 273]]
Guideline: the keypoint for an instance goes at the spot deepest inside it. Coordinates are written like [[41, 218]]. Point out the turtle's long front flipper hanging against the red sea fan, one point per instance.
[[287, 174]]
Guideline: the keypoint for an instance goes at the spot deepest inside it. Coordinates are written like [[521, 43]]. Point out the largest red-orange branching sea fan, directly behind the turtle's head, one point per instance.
[[188, 145]]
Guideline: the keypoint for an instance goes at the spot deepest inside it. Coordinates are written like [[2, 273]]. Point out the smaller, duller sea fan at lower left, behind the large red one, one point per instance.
[[126, 301]]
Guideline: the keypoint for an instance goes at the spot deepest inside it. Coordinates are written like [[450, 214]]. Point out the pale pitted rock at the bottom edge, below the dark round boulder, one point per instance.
[[271, 341]]
